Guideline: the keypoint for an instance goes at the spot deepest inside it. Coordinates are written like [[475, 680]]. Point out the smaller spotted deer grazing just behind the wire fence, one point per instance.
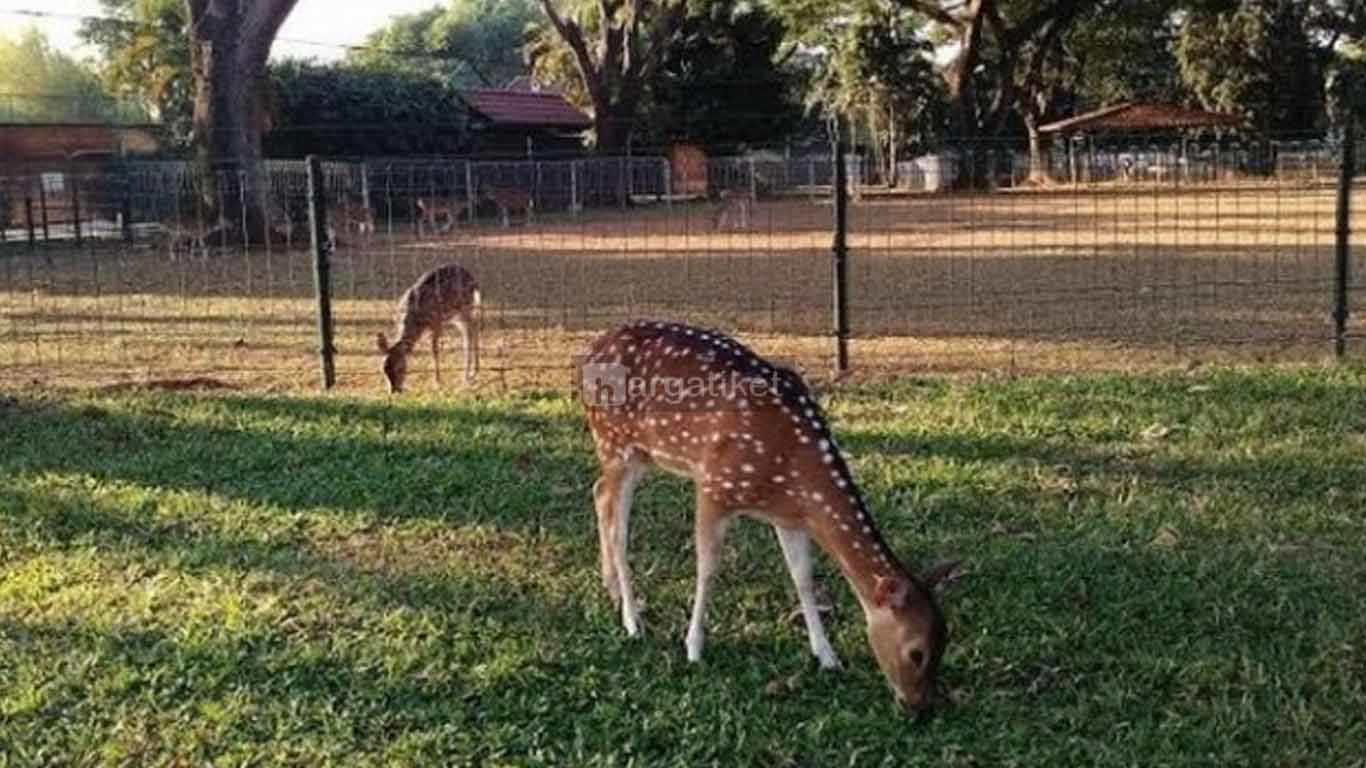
[[442, 296]]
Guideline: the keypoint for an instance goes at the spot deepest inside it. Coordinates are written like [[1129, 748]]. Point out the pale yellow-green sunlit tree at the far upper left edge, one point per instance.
[[43, 85]]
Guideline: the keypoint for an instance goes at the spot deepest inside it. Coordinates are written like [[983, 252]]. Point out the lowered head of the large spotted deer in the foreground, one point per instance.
[[908, 633]]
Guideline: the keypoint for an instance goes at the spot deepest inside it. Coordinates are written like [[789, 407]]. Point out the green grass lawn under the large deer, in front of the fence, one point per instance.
[[1163, 572]]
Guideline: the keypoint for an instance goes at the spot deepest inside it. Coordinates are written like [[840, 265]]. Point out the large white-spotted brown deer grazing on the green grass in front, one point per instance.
[[756, 443]]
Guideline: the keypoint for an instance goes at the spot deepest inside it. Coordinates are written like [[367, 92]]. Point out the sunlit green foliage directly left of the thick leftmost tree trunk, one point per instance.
[[145, 58]]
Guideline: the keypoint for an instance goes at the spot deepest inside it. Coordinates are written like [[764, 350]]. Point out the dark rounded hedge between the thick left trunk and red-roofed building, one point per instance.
[[359, 111]]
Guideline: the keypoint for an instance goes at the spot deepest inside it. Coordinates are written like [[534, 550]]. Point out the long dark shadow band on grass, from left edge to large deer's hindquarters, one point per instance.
[[465, 464]]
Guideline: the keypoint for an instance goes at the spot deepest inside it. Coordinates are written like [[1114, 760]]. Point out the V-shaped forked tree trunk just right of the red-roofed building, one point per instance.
[[617, 47]]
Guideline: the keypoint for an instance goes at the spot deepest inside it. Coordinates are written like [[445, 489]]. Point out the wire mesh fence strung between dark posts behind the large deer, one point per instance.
[[971, 260]]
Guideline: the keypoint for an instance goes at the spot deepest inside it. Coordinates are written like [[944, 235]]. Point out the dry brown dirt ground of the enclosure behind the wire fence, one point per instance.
[[1113, 279]]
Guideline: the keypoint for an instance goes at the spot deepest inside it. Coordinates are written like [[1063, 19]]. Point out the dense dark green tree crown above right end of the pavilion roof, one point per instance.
[[1256, 59]]
